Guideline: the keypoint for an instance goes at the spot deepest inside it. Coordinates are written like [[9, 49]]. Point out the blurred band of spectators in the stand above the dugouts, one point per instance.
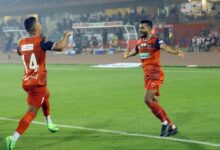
[[132, 17]]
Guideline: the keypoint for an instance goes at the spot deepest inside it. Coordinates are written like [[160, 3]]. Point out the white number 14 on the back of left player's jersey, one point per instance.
[[32, 65]]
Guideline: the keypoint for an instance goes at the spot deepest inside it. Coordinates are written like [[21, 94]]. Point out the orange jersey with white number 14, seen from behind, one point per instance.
[[33, 55]]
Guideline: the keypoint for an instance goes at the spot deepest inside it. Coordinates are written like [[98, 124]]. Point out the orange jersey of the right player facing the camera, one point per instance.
[[149, 51]]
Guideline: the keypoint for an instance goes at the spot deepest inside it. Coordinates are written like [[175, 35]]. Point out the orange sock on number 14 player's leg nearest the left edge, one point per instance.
[[25, 122]]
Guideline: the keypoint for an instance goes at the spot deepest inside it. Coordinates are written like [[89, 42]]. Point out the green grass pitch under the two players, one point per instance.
[[112, 99]]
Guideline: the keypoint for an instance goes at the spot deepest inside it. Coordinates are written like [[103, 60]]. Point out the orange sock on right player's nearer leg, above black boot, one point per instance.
[[156, 110]]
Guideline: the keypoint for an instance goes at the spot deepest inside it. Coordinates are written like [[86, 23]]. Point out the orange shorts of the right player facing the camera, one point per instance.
[[151, 84]]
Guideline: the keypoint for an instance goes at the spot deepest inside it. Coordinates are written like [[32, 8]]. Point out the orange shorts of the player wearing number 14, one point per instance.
[[36, 94]]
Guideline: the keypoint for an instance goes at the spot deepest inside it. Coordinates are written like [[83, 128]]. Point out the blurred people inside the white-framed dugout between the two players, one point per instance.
[[89, 43]]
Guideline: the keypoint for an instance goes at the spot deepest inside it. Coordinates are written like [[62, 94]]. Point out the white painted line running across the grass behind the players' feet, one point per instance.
[[124, 133]]
